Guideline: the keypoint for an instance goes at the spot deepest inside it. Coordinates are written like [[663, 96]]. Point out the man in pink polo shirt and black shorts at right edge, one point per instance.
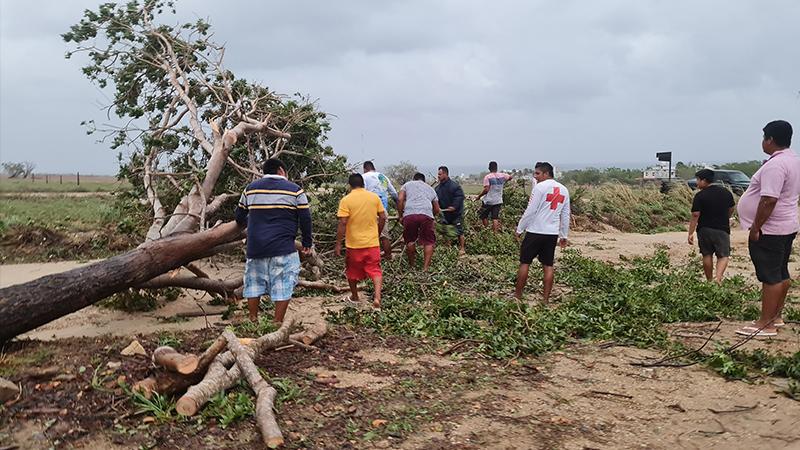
[[769, 209]]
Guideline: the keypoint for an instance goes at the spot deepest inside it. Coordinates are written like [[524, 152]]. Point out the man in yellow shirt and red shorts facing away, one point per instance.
[[361, 220]]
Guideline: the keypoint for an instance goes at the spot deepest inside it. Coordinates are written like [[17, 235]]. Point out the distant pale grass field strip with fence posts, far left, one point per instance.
[[62, 183]]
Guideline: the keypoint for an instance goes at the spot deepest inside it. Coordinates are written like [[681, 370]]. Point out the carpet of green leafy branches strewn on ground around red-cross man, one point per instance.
[[472, 300]]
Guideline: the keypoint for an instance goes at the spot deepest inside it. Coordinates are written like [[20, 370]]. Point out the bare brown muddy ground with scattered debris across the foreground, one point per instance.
[[589, 395]]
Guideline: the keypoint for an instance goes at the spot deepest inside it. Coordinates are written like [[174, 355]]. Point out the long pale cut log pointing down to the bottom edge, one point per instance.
[[265, 394]]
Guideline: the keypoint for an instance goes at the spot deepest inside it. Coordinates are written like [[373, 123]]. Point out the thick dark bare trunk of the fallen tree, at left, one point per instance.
[[26, 306]]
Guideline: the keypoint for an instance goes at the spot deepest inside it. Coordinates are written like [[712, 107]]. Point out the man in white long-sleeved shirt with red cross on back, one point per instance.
[[545, 224]]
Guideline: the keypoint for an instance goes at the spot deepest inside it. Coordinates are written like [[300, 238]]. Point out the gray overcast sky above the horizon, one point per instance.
[[453, 81]]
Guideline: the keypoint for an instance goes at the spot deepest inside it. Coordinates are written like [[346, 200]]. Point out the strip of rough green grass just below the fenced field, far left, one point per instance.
[[56, 212]]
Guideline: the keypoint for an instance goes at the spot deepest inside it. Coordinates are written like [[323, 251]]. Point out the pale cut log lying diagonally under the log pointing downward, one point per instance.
[[223, 373]]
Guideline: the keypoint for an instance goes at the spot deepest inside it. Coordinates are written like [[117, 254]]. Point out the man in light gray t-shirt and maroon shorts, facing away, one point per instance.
[[417, 206]]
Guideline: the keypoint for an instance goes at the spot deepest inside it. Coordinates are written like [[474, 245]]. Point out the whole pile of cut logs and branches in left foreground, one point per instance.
[[200, 378]]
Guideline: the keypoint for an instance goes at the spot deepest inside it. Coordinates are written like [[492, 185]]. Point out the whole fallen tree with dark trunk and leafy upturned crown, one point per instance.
[[196, 136]]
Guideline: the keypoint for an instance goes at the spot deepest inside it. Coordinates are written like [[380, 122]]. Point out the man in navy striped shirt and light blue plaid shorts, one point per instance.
[[272, 208]]
